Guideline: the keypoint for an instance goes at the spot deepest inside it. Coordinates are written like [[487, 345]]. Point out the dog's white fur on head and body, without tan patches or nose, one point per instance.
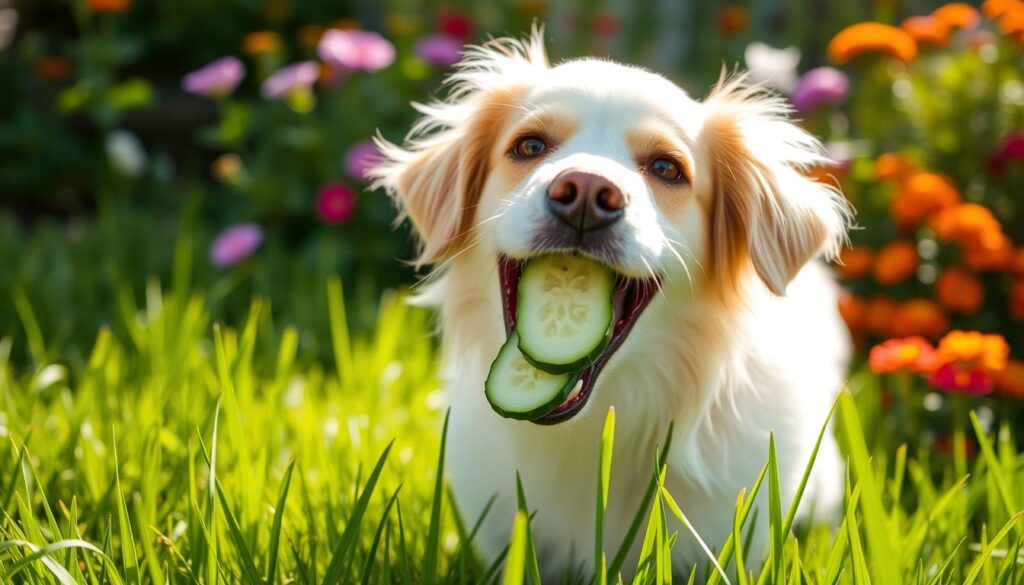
[[727, 374]]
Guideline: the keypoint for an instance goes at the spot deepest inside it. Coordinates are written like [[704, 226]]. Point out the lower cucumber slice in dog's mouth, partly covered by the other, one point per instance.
[[518, 390]]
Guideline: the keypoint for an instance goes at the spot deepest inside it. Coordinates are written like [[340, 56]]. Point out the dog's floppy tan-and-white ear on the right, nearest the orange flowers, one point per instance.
[[763, 207]]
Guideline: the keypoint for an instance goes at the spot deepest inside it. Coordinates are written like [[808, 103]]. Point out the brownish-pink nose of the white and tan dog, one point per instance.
[[585, 201]]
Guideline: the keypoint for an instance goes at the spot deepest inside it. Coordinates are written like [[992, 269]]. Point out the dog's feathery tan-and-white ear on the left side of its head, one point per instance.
[[437, 178]]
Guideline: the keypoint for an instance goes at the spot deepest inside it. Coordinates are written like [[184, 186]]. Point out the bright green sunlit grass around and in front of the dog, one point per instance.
[[182, 451]]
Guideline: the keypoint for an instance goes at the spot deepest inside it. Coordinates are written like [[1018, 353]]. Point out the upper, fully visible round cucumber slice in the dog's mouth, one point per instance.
[[565, 312]]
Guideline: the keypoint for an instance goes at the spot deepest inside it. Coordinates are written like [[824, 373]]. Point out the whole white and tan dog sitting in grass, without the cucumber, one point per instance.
[[732, 329]]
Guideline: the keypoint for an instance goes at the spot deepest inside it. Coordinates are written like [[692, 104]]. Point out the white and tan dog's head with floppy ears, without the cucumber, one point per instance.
[[619, 164]]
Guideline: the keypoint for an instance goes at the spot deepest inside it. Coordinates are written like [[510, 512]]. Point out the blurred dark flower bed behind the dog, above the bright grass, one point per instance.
[[220, 147]]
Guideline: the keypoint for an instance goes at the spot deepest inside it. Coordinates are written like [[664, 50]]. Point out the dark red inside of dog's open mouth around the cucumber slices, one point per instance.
[[631, 298]]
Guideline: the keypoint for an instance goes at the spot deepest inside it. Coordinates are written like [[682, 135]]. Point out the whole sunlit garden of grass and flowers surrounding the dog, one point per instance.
[[183, 197]]
